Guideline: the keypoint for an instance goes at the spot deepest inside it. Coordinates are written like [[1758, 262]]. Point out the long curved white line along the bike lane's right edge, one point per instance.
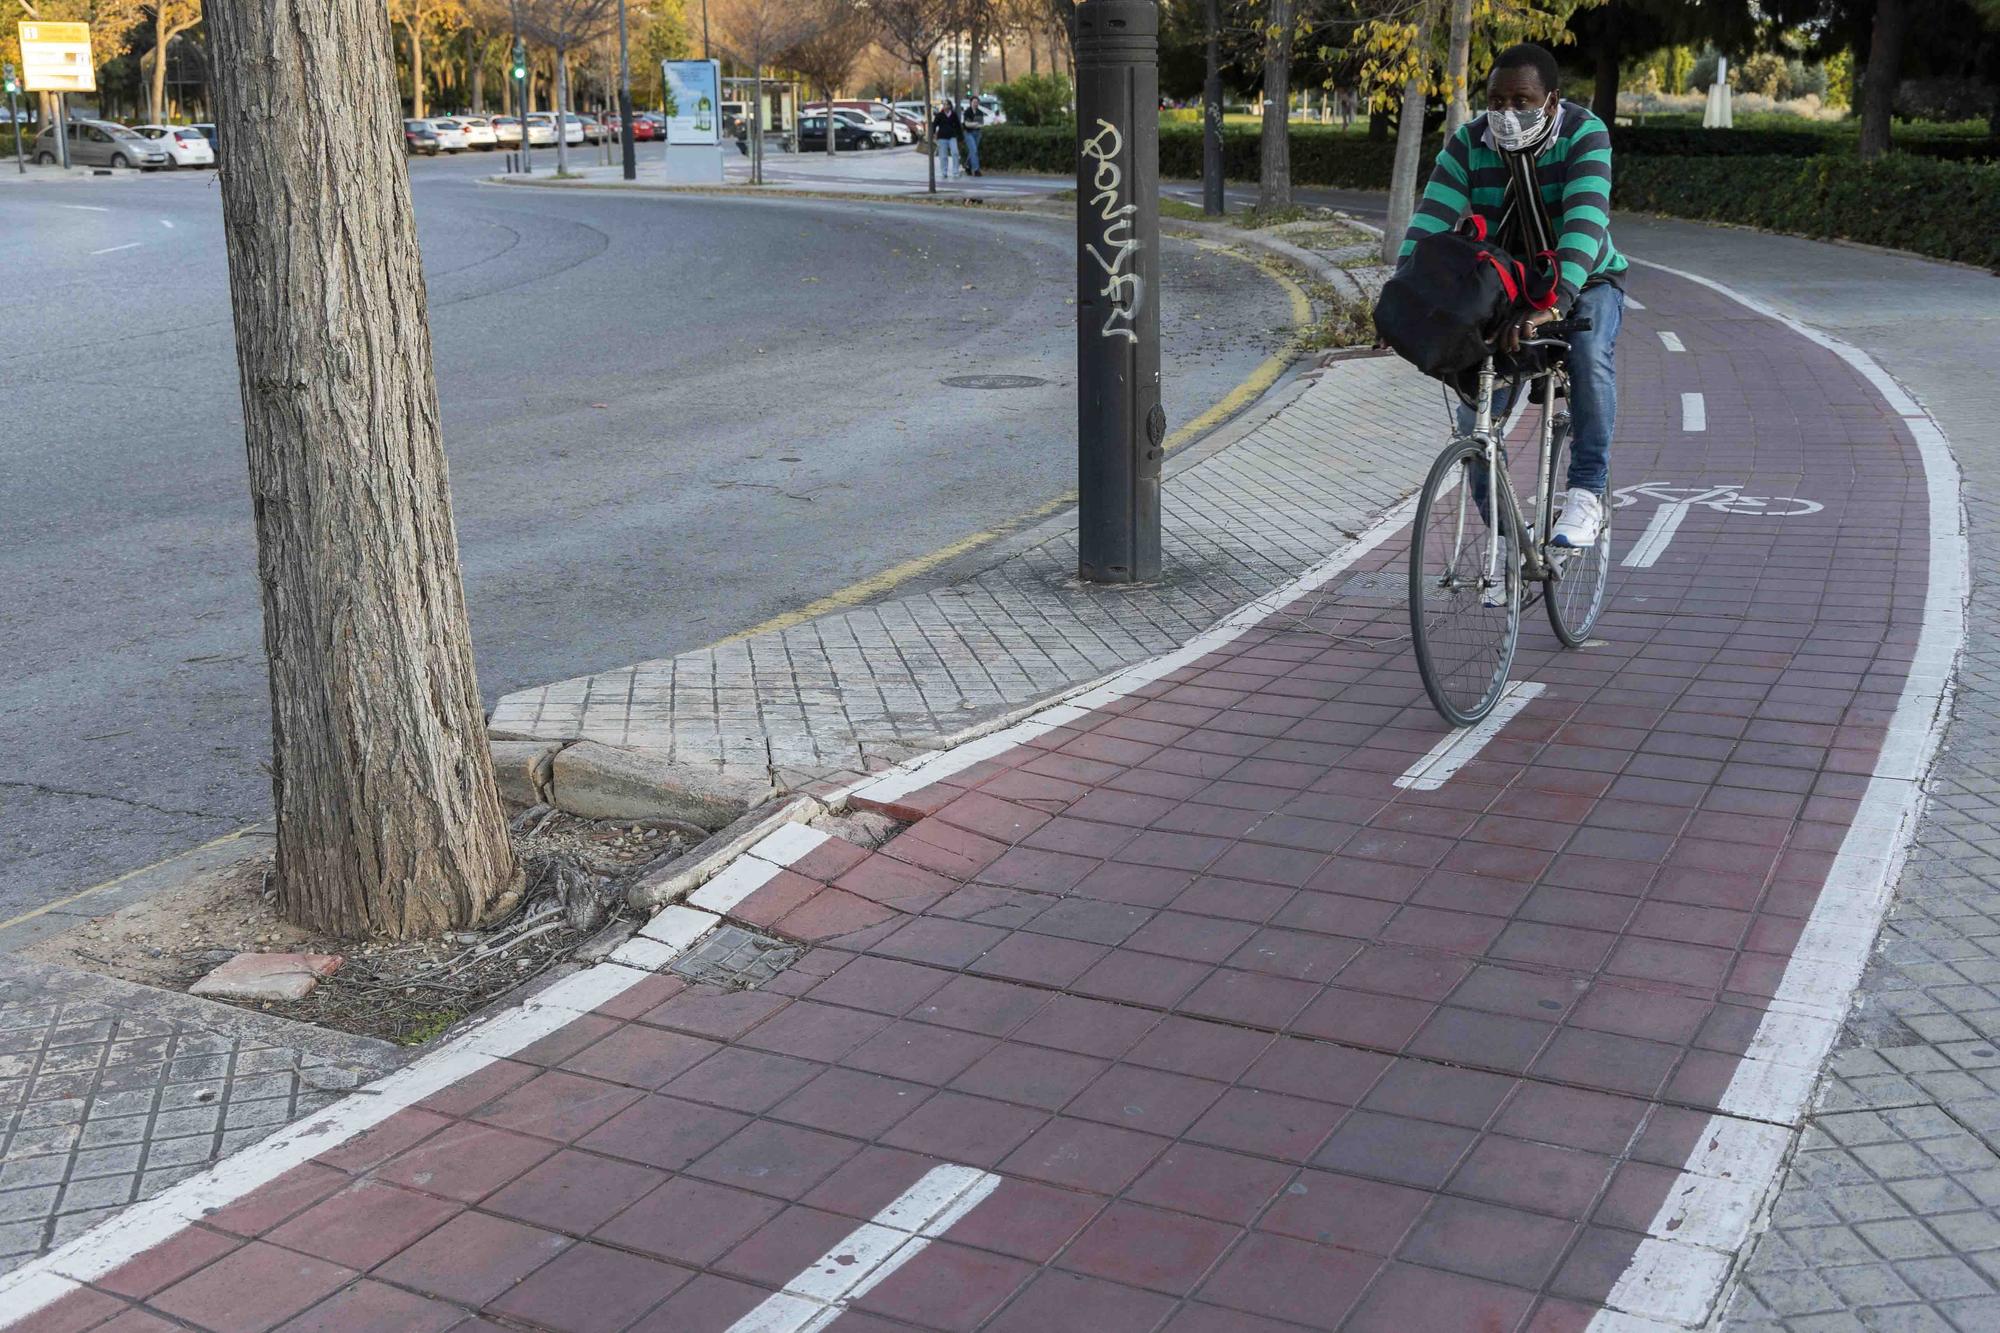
[[1679, 1278]]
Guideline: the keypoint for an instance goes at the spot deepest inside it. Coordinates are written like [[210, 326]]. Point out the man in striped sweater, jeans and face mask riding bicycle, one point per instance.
[[1533, 137]]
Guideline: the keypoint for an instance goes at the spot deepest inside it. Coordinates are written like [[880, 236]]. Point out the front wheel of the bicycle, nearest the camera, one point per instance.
[[1463, 623]]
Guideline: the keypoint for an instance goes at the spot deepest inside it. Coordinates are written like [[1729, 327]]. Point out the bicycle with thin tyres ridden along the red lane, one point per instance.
[[1469, 573]]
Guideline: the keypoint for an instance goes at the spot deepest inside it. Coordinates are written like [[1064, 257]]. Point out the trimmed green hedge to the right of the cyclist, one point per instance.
[[1939, 209]]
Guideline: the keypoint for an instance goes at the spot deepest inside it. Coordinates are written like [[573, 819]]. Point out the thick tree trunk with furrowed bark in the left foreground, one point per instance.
[[389, 820]]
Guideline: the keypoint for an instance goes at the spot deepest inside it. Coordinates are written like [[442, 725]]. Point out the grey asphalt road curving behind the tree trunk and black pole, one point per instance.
[[669, 419]]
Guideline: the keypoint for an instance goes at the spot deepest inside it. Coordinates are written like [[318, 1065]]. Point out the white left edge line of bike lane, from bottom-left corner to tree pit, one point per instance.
[[143, 1226]]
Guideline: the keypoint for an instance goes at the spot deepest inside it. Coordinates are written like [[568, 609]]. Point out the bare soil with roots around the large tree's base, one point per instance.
[[405, 992]]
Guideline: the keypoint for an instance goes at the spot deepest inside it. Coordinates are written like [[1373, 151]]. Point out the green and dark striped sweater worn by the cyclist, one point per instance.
[[1575, 175]]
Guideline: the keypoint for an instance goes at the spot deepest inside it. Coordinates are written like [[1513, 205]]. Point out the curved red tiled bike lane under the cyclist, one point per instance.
[[1189, 1016]]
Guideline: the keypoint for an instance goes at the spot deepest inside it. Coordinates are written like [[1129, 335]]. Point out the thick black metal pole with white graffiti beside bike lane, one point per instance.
[[1119, 417]]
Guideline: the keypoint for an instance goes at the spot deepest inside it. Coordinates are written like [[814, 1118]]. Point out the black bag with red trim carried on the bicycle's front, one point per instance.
[[1453, 295]]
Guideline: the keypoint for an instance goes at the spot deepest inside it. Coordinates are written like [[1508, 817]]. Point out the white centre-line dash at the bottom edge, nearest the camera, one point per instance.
[[875, 1250]]
